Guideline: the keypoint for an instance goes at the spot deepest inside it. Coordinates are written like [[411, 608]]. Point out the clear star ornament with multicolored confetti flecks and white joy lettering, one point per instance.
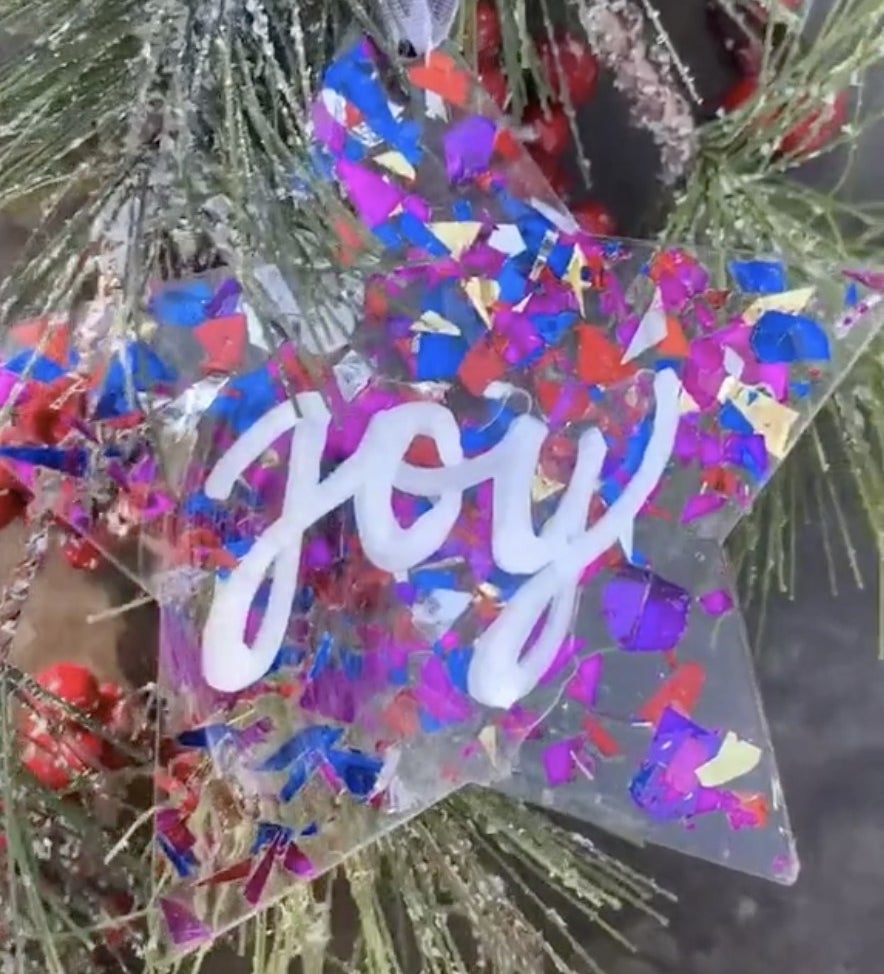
[[508, 496]]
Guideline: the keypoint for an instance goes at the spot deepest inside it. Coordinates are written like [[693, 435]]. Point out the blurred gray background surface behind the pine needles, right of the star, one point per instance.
[[823, 688]]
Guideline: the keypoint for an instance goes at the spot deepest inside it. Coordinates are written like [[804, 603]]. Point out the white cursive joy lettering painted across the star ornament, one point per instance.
[[501, 671]]
